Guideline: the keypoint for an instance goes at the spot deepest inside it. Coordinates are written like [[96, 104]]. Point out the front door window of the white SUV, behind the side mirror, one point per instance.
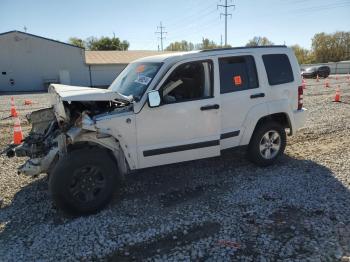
[[189, 81]]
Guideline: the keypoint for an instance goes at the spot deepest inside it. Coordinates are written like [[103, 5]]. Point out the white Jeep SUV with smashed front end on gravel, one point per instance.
[[160, 110]]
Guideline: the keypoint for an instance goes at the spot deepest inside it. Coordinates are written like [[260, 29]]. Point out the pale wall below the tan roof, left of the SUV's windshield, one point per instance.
[[103, 75]]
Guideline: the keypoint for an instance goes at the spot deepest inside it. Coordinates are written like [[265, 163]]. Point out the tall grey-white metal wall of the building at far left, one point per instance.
[[27, 62]]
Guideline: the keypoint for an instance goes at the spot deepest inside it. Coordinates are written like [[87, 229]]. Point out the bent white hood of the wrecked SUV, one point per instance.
[[80, 93]]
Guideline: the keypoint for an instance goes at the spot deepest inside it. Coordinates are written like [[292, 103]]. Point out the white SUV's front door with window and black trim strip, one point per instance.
[[186, 126]]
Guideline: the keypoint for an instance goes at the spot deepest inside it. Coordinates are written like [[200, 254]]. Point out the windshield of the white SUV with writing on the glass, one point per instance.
[[135, 79]]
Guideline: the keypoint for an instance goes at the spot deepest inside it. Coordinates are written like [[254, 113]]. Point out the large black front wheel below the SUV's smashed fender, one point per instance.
[[83, 181]]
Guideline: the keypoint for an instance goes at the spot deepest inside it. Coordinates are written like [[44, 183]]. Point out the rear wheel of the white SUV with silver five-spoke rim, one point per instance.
[[267, 143]]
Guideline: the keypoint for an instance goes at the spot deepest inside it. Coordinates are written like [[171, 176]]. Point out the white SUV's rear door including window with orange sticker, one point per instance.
[[241, 89]]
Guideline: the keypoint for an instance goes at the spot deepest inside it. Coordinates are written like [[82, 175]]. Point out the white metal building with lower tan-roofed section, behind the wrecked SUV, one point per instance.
[[30, 63]]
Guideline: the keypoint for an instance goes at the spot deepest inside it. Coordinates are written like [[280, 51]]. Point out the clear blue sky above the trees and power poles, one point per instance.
[[282, 21]]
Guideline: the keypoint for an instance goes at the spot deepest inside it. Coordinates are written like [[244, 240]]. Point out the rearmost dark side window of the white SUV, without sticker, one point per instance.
[[278, 69]]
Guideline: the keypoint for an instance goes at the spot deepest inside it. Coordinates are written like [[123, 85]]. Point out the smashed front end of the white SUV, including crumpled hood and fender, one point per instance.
[[69, 121]]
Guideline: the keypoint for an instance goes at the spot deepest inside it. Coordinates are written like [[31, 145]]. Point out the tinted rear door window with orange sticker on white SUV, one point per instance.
[[237, 73]]
